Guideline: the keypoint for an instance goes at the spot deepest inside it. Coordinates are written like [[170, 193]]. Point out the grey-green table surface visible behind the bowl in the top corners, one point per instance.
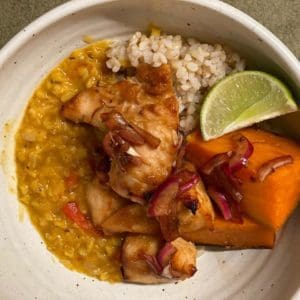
[[280, 16]]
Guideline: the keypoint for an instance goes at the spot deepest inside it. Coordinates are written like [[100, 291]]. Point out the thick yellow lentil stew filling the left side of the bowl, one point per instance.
[[49, 151]]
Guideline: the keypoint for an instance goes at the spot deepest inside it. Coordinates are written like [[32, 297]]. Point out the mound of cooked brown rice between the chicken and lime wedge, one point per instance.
[[196, 66]]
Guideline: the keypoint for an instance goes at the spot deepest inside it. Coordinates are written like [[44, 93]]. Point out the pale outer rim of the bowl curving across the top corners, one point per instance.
[[70, 7]]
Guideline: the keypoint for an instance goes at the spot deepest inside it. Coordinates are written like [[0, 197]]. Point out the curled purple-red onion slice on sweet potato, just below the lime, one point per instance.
[[243, 151]]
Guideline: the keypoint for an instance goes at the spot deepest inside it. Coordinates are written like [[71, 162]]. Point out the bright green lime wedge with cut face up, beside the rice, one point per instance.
[[241, 100]]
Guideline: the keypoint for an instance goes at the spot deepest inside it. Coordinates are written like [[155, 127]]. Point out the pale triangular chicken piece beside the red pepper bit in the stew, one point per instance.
[[102, 202]]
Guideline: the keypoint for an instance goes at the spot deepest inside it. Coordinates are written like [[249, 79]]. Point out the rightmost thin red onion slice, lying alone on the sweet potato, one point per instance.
[[270, 166]]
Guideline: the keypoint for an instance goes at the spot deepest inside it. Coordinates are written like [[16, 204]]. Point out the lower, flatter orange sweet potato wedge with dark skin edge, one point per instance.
[[225, 233]]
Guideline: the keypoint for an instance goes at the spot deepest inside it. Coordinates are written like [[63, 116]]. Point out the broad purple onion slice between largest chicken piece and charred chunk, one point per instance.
[[161, 200]]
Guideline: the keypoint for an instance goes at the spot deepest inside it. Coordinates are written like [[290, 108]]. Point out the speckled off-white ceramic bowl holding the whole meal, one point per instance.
[[27, 269]]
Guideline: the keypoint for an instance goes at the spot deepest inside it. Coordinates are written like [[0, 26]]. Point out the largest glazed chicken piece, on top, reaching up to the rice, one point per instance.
[[150, 105]]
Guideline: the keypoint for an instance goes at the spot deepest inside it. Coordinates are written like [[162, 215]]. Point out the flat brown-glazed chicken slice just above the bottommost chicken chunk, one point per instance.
[[131, 218]]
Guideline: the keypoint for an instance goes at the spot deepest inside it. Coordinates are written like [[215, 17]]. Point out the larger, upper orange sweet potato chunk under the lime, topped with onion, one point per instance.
[[269, 202]]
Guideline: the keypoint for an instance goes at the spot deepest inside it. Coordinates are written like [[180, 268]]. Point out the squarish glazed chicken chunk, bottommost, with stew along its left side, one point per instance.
[[135, 267]]
